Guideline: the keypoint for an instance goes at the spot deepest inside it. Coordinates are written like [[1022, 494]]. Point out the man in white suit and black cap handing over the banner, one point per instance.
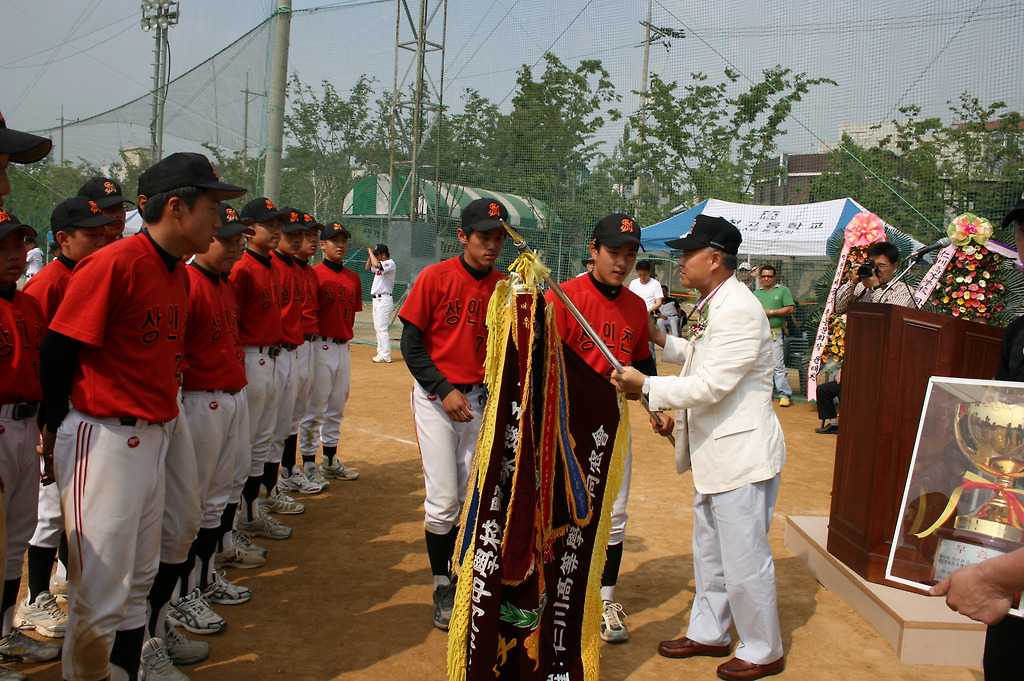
[[727, 432]]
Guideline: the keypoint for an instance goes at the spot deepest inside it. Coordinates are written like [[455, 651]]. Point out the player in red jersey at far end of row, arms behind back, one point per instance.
[[339, 297]]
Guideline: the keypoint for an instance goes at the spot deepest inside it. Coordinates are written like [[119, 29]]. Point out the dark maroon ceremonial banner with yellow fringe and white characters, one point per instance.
[[535, 529]]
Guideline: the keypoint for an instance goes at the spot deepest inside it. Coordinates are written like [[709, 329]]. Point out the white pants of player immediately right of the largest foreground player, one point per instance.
[[217, 416]]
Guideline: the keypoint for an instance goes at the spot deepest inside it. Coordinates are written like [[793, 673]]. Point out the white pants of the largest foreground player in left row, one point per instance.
[[112, 487]]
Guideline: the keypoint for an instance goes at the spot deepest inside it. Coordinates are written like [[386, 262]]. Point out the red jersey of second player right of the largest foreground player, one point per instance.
[[258, 287]]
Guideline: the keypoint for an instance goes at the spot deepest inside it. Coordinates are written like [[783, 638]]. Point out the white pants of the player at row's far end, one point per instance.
[[326, 409]]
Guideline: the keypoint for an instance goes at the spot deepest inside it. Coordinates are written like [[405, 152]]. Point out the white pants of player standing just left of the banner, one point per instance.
[[447, 454]]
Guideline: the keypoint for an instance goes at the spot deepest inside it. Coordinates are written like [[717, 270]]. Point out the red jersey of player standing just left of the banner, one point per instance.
[[451, 308]]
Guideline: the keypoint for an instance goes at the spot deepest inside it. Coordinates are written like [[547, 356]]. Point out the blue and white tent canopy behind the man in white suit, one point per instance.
[[803, 230]]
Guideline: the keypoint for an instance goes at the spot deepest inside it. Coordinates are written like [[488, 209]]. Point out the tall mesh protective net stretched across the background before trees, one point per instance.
[[910, 110]]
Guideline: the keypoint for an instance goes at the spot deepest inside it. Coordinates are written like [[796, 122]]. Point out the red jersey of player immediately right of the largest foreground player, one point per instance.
[[214, 355]]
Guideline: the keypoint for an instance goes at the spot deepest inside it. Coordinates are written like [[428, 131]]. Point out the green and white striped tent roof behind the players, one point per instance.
[[370, 197]]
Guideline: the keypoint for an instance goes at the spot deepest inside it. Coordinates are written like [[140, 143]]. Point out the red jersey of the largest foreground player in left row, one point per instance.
[[131, 313]]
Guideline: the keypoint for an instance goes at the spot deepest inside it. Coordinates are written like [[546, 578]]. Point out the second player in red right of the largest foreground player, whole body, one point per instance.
[[259, 289]]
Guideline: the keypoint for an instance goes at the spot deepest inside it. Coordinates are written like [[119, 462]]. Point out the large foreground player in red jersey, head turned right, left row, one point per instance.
[[116, 349]]
